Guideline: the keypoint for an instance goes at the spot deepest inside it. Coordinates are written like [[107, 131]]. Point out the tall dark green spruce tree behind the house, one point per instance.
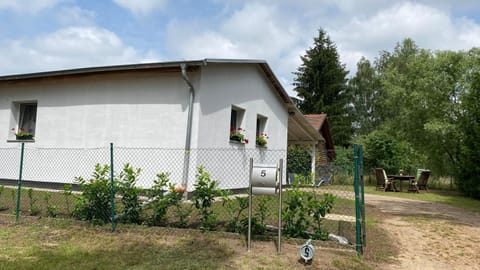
[[321, 85]]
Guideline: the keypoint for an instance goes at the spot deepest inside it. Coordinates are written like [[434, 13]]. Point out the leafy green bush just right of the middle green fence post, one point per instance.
[[130, 195]]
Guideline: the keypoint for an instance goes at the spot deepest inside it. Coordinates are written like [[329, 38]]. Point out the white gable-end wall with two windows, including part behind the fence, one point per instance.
[[244, 86]]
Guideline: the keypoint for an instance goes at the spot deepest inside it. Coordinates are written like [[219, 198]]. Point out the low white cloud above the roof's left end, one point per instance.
[[70, 47]]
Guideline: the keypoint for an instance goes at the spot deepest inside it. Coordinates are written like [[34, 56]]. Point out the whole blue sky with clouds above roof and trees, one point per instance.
[[41, 35]]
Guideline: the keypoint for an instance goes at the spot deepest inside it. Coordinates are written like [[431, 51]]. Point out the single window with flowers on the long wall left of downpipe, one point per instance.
[[24, 118]]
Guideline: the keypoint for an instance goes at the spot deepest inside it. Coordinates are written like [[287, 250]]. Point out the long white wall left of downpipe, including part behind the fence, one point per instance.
[[77, 118]]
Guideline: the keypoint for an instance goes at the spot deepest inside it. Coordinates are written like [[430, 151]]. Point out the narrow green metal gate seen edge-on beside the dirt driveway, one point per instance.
[[359, 198]]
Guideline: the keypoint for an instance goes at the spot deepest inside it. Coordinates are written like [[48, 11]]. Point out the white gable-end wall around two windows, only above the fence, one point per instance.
[[243, 86]]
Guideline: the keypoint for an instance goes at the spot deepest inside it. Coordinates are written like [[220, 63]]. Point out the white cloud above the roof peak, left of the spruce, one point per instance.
[[254, 31]]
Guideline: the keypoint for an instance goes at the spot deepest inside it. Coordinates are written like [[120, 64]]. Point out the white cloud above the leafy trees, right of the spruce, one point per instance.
[[430, 27]]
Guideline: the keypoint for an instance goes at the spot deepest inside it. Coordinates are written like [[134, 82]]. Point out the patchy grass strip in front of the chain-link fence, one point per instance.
[[66, 244]]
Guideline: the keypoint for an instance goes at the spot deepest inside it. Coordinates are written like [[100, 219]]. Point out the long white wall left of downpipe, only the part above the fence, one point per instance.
[[135, 110]]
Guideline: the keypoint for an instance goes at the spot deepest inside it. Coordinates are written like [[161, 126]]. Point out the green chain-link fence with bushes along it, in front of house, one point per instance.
[[158, 186]]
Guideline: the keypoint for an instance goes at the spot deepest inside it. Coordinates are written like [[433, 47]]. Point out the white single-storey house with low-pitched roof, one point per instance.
[[161, 117]]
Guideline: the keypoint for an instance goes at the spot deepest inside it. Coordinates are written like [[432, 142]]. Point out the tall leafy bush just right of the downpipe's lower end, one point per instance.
[[206, 189]]
